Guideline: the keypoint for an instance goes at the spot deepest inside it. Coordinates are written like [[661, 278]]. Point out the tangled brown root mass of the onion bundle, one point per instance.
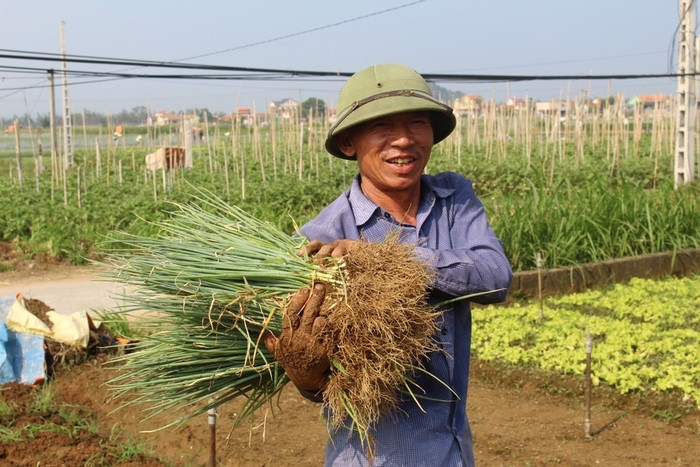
[[382, 326]]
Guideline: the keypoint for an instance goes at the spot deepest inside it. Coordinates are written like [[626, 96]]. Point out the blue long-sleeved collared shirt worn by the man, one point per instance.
[[452, 234]]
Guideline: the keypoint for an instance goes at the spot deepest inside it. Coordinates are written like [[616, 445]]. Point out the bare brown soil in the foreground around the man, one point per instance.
[[518, 417]]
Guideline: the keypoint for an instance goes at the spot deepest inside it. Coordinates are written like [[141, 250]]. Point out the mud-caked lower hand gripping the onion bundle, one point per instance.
[[299, 349]]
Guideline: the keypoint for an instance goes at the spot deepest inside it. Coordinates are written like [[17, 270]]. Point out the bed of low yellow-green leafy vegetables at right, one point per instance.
[[646, 335]]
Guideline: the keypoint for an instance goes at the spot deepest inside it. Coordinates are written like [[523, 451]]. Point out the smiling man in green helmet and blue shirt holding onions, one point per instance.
[[388, 122]]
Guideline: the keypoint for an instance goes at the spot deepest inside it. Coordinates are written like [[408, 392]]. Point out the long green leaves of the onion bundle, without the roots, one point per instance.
[[205, 289]]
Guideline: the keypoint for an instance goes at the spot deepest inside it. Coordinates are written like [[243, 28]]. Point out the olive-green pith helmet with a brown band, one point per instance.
[[382, 90]]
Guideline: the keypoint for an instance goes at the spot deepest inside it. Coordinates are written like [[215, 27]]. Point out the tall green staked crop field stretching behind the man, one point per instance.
[[592, 186]]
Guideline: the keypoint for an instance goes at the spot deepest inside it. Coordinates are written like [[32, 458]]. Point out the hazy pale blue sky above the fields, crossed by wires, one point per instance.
[[504, 37]]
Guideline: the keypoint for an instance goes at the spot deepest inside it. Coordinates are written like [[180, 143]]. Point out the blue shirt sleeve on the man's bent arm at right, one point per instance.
[[474, 260]]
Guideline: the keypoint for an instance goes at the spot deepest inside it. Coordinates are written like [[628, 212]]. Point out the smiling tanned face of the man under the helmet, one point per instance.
[[391, 151]]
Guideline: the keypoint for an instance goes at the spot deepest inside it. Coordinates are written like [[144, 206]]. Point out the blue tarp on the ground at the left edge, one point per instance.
[[21, 355]]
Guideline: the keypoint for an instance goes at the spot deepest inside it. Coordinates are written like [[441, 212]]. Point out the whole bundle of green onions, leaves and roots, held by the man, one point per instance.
[[215, 279]]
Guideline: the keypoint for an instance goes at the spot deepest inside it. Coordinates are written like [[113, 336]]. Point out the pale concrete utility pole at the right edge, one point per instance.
[[687, 99]]
